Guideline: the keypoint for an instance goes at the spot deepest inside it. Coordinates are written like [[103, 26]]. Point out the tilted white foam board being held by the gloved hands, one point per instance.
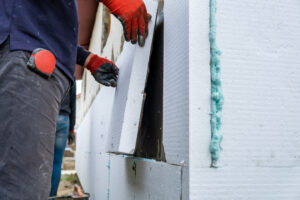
[[129, 97]]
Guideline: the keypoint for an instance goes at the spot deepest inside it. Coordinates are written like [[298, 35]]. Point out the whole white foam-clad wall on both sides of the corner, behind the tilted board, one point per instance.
[[260, 74]]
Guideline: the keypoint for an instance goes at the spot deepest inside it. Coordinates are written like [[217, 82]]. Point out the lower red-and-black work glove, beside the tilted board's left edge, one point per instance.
[[103, 70]]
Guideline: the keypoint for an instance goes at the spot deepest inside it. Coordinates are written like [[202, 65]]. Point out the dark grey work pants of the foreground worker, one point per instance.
[[29, 107]]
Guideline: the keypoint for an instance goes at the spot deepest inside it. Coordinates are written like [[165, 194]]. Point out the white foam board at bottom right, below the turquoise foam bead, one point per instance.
[[247, 183]]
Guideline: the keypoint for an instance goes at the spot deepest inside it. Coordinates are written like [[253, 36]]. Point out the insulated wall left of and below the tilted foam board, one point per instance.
[[110, 176]]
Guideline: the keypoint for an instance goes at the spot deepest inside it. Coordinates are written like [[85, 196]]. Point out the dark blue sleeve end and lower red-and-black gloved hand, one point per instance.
[[103, 70]]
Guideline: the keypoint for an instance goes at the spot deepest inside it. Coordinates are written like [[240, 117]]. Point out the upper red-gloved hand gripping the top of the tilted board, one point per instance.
[[133, 16]]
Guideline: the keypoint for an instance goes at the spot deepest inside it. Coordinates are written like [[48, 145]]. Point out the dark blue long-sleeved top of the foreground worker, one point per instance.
[[49, 24]]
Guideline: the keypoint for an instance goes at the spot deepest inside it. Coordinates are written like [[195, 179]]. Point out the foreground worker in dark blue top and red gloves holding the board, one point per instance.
[[38, 52]]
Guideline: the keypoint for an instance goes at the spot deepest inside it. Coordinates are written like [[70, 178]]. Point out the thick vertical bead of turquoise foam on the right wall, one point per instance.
[[217, 98]]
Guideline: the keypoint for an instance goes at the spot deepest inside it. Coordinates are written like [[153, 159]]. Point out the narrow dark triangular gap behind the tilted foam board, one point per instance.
[[149, 142]]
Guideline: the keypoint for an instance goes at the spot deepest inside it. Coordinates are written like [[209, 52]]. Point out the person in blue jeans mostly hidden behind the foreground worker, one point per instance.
[[64, 132]]
